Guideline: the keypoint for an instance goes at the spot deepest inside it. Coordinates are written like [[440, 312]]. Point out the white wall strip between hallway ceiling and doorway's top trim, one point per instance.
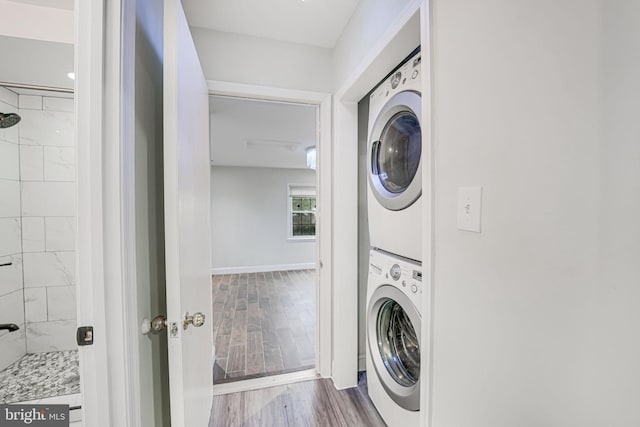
[[258, 61]]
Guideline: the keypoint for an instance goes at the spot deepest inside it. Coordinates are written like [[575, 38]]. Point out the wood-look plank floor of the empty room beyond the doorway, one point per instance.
[[263, 324]]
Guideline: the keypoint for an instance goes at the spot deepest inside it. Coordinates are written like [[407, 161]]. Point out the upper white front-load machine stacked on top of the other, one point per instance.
[[394, 162]]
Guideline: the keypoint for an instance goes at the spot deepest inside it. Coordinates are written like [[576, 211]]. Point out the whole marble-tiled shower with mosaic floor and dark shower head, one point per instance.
[[38, 350]]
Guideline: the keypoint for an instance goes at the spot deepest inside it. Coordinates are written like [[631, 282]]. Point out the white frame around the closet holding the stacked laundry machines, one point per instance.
[[401, 37]]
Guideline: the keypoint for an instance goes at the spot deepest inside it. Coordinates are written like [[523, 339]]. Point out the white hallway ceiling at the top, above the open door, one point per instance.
[[311, 22]]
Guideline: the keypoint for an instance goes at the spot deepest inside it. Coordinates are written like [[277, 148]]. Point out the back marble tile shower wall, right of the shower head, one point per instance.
[[47, 191]]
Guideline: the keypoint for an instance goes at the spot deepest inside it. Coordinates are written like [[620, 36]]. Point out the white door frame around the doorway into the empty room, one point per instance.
[[324, 289]]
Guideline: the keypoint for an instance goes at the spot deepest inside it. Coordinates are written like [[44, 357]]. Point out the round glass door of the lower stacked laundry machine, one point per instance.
[[393, 335]]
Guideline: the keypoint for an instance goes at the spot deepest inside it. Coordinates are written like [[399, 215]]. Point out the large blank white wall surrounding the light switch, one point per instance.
[[526, 330]]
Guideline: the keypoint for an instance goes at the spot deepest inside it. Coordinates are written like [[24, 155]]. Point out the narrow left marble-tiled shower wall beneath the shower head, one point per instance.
[[12, 344]]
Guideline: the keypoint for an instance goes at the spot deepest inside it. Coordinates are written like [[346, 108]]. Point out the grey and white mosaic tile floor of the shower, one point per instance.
[[40, 375]]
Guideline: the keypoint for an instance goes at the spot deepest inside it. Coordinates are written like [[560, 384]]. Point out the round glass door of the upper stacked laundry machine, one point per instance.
[[395, 146]]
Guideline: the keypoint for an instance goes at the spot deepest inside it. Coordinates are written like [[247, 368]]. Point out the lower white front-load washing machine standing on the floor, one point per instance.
[[394, 295]]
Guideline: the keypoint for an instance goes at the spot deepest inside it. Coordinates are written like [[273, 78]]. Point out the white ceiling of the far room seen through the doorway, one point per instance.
[[255, 133]]
